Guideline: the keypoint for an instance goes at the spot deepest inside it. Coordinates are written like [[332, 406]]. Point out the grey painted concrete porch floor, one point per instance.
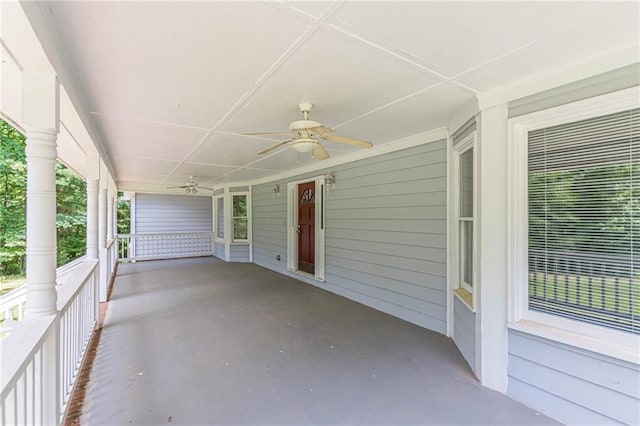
[[200, 341]]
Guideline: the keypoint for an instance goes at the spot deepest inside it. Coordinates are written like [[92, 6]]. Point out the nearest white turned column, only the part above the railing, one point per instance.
[[41, 118]]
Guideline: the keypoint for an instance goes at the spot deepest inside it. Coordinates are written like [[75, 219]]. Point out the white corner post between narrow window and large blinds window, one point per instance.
[[491, 311]]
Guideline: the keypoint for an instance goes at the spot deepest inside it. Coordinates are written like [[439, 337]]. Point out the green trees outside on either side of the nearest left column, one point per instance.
[[71, 206]]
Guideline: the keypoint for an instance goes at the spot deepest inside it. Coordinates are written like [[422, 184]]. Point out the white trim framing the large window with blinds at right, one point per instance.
[[591, 337]]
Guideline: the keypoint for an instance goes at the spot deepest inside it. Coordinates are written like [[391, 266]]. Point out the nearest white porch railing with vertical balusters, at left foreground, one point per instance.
[[42, 356]]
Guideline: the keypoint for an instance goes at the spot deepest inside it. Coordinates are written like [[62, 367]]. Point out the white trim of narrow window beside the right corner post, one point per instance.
[[469, 142]]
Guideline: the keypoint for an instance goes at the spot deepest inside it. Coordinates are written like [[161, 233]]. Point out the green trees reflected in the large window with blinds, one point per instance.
[[595, 209]]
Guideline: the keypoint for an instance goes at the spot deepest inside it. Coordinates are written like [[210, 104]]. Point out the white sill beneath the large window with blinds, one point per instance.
[[611, 343]]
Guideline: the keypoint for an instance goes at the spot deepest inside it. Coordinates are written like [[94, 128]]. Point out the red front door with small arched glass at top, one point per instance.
[[306, 226]]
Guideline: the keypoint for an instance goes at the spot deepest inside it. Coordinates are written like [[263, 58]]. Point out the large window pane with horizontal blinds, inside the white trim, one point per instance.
[[584, 220]]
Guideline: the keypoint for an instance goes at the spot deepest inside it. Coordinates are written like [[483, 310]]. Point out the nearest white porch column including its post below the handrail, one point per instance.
[[40, 114]]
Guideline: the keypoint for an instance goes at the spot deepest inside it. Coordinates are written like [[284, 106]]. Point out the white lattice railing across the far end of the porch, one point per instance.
[[133, 247]]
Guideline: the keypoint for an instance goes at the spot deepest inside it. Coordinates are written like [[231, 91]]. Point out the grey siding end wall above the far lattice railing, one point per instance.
[[158, 213]]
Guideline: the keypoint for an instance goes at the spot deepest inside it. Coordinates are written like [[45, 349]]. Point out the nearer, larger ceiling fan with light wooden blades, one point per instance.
[[306, 135]]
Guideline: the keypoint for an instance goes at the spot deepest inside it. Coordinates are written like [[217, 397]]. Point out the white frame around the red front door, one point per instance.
[[320, 220]]
